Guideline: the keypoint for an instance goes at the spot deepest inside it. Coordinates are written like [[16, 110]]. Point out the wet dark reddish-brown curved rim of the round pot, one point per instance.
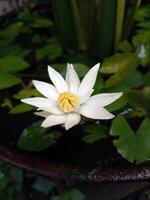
[[70, 175]]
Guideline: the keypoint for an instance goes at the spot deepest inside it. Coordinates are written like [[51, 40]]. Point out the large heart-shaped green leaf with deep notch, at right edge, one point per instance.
[[132, 146]]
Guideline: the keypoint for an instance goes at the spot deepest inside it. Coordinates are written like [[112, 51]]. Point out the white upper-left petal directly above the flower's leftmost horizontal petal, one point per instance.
[[46, 89]]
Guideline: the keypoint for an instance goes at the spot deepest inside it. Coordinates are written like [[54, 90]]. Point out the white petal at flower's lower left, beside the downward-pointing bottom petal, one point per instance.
[[53, 120]]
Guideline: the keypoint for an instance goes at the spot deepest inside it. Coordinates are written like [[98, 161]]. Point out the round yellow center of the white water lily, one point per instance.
[[67, 102]]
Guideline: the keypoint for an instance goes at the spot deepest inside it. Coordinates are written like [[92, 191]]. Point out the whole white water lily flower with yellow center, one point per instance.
[[68, 99]]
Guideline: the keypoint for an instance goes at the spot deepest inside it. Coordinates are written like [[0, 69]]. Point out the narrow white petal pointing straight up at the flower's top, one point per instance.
[[72, 79]]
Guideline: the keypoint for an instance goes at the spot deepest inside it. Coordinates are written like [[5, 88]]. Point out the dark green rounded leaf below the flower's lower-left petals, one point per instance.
[[35, 138]]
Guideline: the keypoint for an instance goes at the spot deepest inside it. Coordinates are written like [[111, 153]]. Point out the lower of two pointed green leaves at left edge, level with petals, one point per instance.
[[8, 80]]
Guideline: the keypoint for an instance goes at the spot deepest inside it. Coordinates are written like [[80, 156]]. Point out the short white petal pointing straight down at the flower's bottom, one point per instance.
[[72, 119]]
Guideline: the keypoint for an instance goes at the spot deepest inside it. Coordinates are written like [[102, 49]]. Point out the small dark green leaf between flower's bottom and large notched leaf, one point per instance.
[[95, 133]]
